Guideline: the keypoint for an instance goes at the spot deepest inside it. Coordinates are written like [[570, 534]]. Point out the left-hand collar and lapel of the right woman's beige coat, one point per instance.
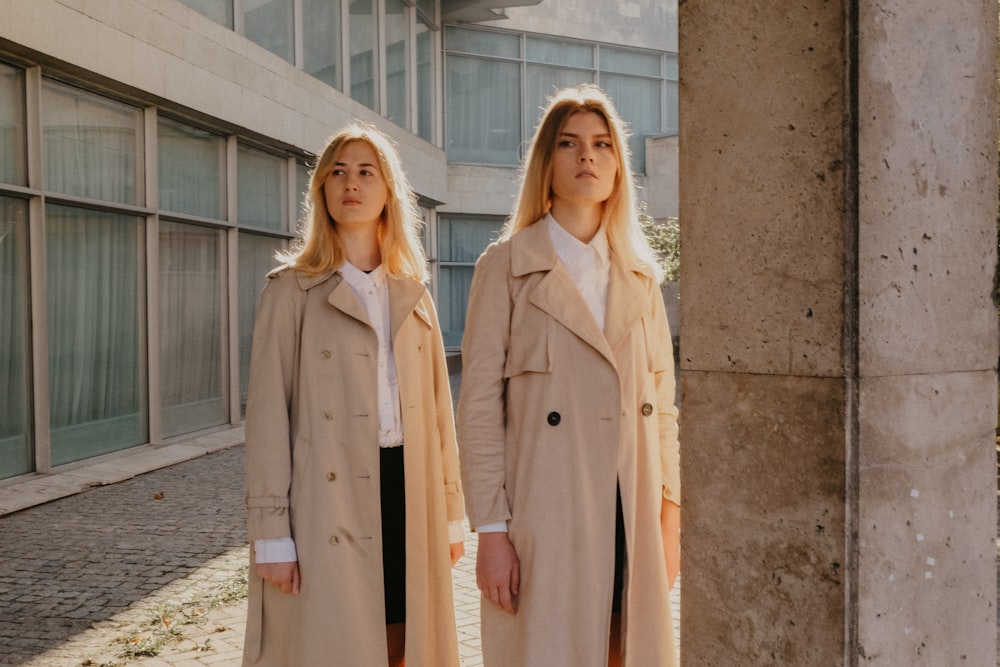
[[555, 294]]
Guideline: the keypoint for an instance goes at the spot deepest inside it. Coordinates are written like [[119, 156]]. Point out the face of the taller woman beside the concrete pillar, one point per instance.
[[584, 166]]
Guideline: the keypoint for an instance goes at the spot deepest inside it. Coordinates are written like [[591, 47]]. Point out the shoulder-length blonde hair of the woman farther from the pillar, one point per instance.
[[319, 248]]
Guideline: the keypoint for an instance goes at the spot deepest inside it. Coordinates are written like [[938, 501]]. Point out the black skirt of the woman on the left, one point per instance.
[[393, 534]]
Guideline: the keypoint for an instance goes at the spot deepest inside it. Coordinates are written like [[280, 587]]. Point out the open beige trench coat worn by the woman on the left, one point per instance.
[[313, 474]]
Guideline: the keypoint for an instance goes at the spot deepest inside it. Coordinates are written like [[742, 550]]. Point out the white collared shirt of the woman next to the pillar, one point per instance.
[[589, 266]]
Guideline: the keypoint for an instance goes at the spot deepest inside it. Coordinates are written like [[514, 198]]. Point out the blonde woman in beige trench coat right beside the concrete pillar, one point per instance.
[[568, 397]]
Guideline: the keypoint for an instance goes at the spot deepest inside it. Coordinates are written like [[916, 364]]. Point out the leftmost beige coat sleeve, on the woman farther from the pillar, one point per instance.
[[273, 358]]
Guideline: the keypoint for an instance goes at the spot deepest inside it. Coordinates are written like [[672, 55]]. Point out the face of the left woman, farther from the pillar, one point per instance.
[[355, 190]]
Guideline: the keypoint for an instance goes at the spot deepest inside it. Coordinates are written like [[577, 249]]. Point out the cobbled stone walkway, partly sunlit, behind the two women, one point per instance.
[[148, 571]]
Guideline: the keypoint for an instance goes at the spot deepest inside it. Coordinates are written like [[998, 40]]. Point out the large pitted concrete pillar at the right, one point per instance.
[[838, 338]]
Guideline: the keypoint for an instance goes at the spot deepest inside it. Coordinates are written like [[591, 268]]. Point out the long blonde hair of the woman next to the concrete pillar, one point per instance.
[[620, 217]]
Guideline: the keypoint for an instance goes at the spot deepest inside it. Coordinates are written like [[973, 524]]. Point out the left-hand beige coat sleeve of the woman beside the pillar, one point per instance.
[[481, 422]]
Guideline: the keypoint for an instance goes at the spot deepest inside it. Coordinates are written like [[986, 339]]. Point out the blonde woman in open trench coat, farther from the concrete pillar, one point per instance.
[[317, 429]]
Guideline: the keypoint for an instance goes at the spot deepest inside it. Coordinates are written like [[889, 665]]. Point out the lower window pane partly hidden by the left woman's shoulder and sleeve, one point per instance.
[[255, 260]]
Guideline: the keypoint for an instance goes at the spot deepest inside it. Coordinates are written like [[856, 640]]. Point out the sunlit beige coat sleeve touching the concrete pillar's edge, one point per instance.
[[661, 349]]
